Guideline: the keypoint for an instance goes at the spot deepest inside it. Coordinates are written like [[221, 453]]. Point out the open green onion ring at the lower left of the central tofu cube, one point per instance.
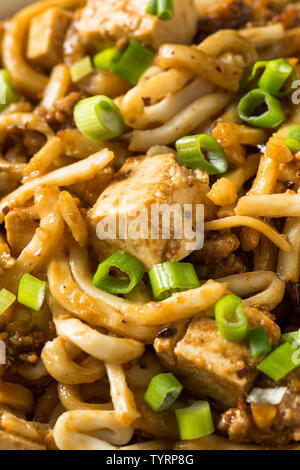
[[127, 264]]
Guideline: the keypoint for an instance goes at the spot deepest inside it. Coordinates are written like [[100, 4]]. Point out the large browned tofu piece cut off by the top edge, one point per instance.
[[108, 21]]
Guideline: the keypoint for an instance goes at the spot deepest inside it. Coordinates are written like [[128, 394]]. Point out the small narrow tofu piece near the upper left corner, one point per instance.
[[46, 34]]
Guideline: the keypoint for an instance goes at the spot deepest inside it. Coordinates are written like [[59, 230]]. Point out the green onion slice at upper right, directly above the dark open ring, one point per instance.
[[274, 77]]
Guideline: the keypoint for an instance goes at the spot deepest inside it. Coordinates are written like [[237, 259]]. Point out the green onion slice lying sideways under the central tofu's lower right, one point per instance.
[[169, 277]]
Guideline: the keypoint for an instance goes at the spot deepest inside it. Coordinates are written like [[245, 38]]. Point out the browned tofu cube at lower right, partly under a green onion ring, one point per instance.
[[211, 366]]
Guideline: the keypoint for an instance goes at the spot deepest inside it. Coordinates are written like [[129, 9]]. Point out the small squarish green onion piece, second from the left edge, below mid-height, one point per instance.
[[31, 292]]
